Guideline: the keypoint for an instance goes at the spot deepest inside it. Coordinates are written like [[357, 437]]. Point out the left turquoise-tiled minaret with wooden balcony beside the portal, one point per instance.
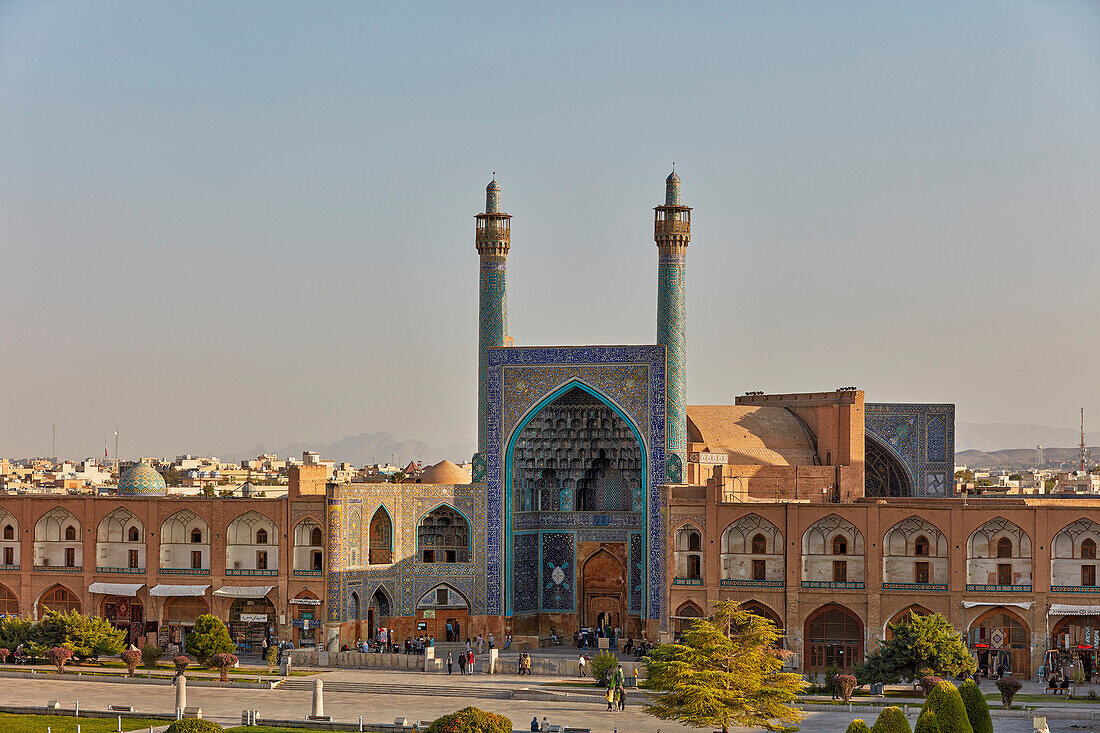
[[493, 239]]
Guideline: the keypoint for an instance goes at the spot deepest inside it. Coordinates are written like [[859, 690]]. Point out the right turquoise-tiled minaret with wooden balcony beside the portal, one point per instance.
[[673, 234]]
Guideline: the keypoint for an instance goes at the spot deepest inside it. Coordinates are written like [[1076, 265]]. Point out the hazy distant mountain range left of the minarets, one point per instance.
[[368, 448]]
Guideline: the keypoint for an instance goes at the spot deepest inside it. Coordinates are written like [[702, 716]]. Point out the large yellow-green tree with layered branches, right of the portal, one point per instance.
[[725, 672]]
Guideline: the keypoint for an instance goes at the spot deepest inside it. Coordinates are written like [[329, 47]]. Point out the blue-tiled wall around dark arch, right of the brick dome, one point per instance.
[[922, 436]]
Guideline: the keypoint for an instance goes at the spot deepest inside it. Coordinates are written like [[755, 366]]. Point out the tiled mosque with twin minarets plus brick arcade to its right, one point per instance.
[[600, 498]]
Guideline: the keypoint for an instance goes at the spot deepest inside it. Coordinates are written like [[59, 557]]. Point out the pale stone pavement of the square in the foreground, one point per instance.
[[225, 706]]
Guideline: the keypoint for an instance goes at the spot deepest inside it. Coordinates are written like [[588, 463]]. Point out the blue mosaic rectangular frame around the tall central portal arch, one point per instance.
[[602, 369]]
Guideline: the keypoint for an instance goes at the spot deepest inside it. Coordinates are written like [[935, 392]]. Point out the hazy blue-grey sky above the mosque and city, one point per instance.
[[229, 224]]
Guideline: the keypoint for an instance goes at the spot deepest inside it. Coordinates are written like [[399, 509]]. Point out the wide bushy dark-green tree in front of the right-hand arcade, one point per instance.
[[918, 643]]
